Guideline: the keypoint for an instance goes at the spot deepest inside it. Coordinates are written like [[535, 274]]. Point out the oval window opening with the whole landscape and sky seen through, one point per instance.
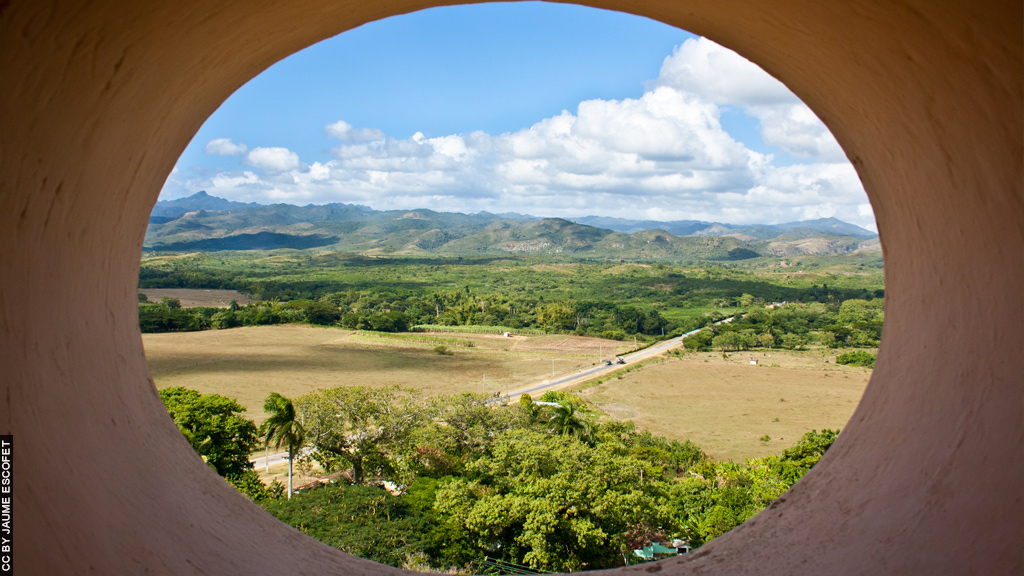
[[601, 279]]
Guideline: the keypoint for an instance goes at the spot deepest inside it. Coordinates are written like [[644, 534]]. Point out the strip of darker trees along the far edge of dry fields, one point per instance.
[[854, 323]]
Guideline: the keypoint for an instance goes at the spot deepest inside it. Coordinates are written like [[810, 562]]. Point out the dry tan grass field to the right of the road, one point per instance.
[[728, 406]]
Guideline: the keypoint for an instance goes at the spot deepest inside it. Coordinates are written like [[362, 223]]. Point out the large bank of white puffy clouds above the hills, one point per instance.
[[662, 156]]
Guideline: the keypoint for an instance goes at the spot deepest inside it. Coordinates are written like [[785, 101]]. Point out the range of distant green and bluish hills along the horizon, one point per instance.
[[203, 223]]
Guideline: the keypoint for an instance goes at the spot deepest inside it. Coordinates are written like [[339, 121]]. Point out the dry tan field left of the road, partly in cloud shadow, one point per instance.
[[250, 363]]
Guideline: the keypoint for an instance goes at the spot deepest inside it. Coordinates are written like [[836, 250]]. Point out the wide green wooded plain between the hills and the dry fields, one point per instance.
[[835, 305]]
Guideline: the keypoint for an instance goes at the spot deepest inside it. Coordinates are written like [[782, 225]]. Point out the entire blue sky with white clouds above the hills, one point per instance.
[[543, 109]]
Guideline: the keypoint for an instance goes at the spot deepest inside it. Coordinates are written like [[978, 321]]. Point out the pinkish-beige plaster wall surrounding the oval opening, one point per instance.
[[99, 100]]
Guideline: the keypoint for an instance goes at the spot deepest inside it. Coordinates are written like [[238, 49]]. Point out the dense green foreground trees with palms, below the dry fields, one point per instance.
[[545, 484]]
